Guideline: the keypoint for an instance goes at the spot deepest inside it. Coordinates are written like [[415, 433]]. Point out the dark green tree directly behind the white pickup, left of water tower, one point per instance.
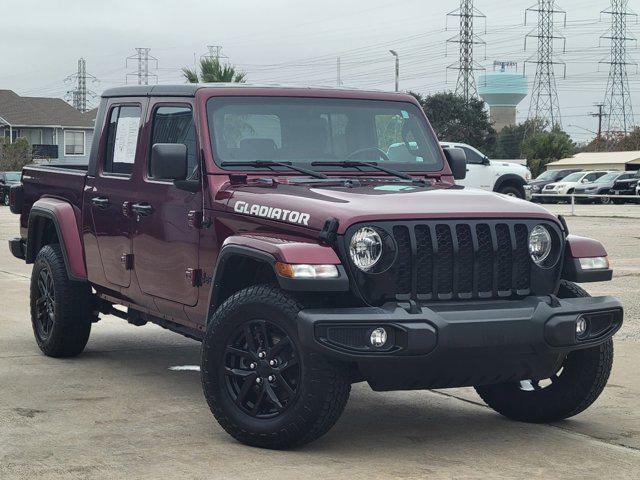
[[457, 120]]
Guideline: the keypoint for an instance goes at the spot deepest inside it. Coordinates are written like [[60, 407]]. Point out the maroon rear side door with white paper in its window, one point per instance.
[[109, 192]]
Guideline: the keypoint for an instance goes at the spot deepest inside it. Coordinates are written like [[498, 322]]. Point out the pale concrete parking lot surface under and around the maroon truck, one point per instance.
[[120, 411]]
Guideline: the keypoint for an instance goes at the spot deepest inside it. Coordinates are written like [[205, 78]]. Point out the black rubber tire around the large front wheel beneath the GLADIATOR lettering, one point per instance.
[[324, 385]]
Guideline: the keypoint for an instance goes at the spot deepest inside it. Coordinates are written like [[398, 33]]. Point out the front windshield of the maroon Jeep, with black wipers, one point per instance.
[[311, 130]]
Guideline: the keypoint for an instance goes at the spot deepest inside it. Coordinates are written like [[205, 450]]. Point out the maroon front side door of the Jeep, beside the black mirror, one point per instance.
[[166, 239]]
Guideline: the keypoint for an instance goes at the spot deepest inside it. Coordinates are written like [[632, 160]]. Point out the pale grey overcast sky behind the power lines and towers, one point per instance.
[[298, 43]]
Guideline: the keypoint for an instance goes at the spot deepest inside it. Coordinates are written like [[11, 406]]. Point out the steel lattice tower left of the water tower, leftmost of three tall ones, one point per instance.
[[466, 84]]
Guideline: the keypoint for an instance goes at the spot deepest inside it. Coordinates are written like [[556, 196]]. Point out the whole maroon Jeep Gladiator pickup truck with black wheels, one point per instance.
[[311, 239]]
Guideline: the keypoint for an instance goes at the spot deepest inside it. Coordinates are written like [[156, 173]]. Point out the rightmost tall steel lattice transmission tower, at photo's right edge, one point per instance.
[[617, 99]]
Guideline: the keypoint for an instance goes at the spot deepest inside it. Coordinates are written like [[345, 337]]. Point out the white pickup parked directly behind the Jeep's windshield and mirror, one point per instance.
[[493, 175]]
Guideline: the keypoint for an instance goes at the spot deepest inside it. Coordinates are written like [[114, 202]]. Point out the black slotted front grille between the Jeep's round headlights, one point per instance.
[[457, 260]]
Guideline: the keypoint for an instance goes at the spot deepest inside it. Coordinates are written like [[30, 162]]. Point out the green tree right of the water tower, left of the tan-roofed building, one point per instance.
[[543, 147]]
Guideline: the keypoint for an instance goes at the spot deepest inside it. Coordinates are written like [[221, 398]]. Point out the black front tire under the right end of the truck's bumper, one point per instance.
[[582, 380]]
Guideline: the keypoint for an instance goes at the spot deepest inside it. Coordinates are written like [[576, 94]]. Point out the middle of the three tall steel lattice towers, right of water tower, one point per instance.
[[544, 95]]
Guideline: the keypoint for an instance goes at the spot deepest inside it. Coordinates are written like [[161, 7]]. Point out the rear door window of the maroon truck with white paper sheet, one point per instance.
[[122, 139]]
